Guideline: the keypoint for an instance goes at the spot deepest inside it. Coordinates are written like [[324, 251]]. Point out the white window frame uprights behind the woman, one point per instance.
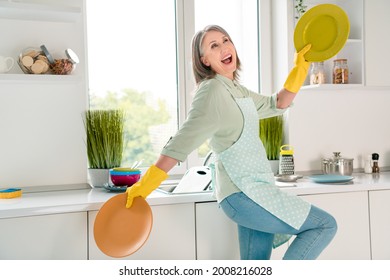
[[185, 26]]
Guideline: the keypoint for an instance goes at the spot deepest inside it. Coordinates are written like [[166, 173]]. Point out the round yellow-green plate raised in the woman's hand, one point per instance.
[[326, 28]]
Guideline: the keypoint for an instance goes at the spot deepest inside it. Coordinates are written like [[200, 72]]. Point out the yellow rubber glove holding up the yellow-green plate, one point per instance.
[[298, 73]]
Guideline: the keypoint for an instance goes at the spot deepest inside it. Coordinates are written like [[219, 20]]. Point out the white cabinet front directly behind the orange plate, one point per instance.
[[172, 236]]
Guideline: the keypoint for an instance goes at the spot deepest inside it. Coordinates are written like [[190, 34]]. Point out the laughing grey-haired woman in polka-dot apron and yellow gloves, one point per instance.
[[227, 113]]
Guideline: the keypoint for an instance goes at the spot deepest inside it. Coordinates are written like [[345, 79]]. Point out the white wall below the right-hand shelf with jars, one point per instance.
[[353, 122]]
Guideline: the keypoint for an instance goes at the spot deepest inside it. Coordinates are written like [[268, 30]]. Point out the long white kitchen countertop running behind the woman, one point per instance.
[[66, 201]]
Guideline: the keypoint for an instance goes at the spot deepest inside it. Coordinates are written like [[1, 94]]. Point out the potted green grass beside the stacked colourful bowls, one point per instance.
[[105, 137]]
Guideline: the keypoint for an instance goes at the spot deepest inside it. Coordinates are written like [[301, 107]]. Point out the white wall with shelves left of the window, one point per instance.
[[42, 134]]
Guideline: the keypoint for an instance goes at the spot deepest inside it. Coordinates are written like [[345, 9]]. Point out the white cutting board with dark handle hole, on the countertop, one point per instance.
[[196, 179]]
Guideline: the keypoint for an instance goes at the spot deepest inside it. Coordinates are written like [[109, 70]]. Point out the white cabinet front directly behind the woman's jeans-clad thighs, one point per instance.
[[216, 235]]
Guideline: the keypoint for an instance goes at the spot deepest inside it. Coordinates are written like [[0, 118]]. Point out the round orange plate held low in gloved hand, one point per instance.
[[121, 231]]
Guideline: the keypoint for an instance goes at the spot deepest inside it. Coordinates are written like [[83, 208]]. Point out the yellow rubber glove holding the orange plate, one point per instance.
[[148, 183]]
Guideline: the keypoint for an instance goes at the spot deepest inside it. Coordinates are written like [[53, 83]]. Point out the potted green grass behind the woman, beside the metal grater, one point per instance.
[[271, 134]]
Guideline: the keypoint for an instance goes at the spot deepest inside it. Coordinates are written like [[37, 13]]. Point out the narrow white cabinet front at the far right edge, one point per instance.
[[380, 224]]
